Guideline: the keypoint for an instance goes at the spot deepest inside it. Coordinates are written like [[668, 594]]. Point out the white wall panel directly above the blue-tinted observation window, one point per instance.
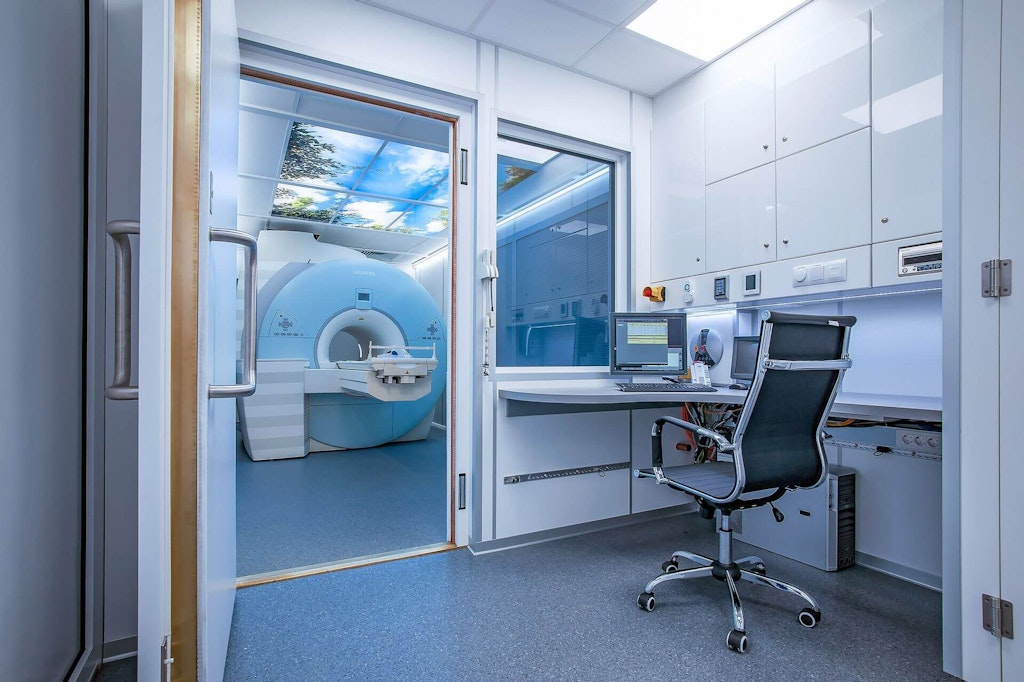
[[556, 100]]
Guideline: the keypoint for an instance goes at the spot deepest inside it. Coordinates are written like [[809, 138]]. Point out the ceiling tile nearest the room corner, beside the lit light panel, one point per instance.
[[636, 63]]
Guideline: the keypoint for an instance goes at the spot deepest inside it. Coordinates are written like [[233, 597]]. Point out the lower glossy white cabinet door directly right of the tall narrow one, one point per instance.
[[742, 220]]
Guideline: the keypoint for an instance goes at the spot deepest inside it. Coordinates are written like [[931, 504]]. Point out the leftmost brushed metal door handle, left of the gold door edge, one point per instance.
[[122, 389]]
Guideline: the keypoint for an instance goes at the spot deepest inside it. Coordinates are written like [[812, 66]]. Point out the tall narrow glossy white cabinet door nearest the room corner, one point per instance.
[[677, 230]]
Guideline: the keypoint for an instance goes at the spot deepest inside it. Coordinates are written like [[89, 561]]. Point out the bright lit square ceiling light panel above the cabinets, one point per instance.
[[706, 29]]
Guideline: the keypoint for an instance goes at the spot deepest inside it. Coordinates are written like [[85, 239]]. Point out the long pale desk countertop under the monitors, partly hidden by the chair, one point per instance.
[[847, 405]]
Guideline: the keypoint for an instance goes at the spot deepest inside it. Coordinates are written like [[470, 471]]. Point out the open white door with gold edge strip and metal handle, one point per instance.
[[187, 338]]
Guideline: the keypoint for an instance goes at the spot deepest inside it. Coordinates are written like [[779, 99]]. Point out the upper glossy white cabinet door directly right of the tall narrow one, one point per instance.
[[741, 126]]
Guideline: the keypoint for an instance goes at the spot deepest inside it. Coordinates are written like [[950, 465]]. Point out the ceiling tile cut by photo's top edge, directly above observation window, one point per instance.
[[541, 30]]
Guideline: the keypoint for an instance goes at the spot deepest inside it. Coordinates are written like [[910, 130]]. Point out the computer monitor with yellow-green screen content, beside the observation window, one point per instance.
[[648, 343]]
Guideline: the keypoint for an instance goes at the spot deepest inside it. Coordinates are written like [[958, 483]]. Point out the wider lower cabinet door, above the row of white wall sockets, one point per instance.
[[825, 197]]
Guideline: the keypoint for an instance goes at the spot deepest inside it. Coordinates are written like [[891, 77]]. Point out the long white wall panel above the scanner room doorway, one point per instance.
[[364, 37]]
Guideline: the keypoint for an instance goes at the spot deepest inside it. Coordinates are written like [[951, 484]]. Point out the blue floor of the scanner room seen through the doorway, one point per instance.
[[342, 505]]
